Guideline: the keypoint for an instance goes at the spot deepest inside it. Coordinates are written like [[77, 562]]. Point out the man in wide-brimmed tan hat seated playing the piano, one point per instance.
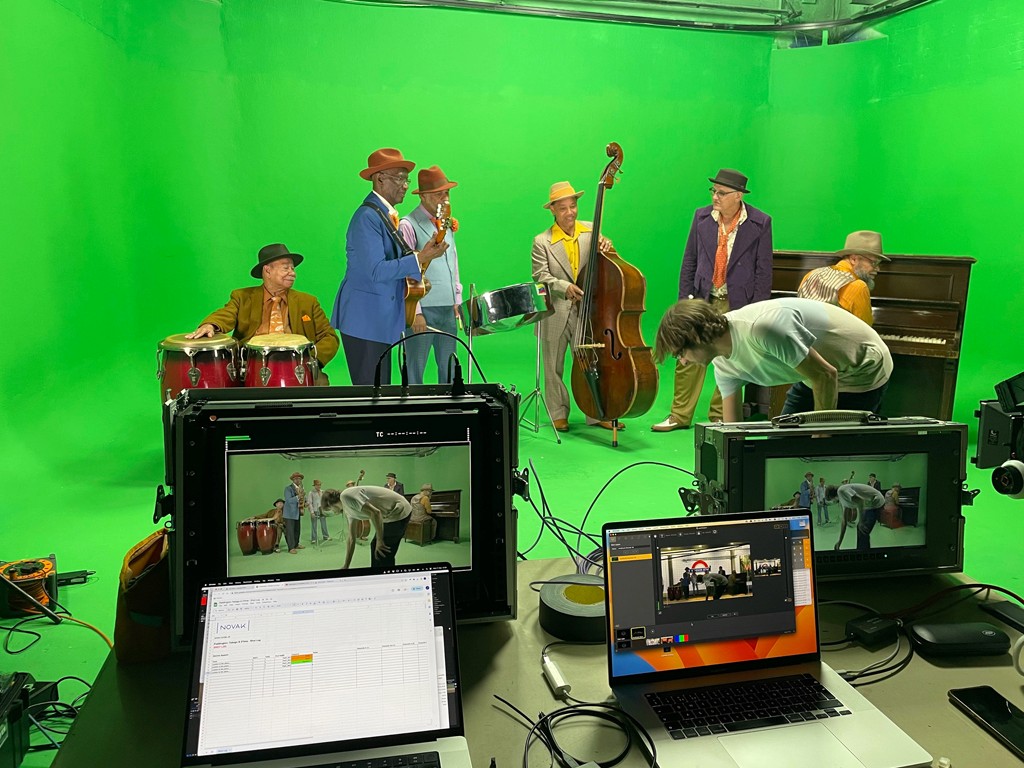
[[850, 282]]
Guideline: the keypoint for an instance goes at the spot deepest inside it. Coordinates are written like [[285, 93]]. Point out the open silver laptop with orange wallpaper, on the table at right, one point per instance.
[[713, 647]]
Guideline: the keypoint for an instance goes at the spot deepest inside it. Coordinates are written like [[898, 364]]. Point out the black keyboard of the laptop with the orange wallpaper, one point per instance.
[[740, 707]]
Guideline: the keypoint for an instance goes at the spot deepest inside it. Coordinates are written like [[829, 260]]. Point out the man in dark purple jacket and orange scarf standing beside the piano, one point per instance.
[[728, 263]]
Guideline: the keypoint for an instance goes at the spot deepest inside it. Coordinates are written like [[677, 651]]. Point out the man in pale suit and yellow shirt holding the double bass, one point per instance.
[[560, 258]]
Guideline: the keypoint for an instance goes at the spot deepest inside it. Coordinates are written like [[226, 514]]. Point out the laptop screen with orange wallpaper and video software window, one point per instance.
[[699, 595]]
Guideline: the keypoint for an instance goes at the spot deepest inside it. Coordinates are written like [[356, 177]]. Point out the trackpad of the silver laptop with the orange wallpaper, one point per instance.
[[810, 746]]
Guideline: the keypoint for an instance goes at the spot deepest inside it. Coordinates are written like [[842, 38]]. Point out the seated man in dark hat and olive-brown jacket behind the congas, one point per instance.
[[274, 308]]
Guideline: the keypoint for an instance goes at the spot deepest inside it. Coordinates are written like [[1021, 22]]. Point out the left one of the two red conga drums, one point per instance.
[[191, 364]]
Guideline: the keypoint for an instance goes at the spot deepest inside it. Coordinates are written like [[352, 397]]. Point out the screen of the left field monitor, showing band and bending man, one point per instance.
[[301, 510]]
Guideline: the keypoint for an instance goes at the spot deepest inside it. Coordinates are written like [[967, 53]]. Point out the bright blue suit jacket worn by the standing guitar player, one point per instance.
[[370, 304]]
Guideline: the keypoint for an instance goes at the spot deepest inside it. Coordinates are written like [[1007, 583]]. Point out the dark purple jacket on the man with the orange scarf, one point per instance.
[[748, 278]]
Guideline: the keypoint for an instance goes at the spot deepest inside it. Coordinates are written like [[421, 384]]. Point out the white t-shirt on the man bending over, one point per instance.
[[772, 338]]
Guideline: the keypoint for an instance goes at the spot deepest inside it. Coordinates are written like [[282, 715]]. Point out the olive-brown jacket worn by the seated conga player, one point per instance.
[[243, 315]]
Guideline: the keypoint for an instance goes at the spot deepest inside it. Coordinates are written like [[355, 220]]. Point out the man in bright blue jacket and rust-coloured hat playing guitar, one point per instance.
[[370, 308]]
